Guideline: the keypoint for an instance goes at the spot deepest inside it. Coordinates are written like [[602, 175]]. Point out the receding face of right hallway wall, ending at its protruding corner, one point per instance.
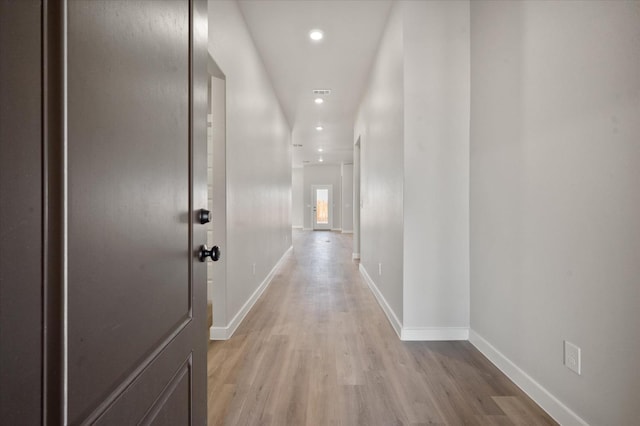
[[379, 125]]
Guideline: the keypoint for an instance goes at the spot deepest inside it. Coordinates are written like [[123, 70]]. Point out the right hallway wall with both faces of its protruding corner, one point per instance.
[[414, 123]]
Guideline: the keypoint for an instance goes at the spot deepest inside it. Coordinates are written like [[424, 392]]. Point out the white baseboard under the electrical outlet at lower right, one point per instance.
[[545, 399]]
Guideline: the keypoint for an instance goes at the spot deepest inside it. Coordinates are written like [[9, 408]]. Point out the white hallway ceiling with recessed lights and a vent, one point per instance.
[[297, 65]]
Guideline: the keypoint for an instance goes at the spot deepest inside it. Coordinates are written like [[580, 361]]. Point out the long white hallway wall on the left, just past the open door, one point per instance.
[[258, 160]]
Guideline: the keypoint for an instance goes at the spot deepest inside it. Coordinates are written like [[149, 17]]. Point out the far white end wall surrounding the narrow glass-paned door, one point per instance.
[[322, 175]]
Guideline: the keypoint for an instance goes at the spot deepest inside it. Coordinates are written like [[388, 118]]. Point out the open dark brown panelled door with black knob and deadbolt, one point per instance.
[[122, 317]]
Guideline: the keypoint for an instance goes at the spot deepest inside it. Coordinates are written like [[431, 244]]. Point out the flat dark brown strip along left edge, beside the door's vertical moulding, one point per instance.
[[20, 213]]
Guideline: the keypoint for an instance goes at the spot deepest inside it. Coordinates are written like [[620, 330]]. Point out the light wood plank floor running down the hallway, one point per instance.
[[316, 349]]
